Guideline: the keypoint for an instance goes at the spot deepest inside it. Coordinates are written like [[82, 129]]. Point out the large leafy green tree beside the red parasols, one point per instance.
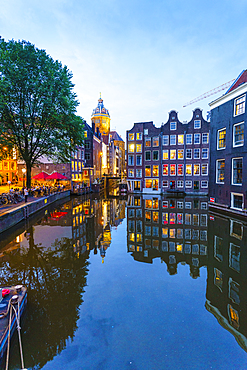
[[37, 105]]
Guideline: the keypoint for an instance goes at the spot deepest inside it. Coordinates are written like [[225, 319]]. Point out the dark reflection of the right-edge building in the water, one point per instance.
[[227, 276]]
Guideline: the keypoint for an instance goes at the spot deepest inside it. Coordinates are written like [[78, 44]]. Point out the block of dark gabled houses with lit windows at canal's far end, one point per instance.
[[173, 157]]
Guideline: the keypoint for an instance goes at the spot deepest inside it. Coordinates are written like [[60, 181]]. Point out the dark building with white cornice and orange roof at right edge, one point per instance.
[[228, 149]]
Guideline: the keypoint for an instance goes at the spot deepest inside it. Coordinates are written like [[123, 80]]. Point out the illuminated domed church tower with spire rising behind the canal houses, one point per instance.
[[101, 119]]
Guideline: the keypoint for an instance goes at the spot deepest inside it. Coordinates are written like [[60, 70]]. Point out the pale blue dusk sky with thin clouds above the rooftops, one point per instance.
[[145, 57]]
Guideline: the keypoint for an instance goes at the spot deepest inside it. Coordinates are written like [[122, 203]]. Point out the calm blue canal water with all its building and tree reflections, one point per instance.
[[140, 283]]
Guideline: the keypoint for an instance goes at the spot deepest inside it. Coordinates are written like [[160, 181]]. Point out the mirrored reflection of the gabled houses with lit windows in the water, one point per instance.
[[174, 230]]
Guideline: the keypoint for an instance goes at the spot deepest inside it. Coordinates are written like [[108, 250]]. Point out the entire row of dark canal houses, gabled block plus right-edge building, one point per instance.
[[198, 157]]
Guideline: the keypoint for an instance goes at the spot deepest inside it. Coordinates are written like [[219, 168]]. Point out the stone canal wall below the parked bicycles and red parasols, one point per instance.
[[18, 214]]
